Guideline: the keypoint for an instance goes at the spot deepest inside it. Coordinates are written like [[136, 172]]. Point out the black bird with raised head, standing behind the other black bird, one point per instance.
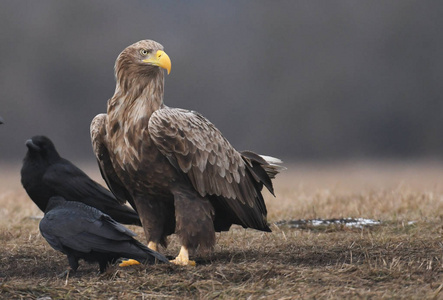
[[46, 174]]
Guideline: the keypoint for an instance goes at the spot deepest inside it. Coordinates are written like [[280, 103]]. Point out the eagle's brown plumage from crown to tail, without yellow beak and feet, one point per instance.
[[173, 165]]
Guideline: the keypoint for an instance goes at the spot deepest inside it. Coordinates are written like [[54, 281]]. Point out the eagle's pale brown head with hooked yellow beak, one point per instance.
[[144, 58]]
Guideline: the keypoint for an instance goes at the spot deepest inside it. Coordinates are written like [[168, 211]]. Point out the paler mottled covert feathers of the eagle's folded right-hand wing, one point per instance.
[[199, 150]]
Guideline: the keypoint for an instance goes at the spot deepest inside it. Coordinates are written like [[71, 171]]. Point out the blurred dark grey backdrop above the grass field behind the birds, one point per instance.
[[300, 80]]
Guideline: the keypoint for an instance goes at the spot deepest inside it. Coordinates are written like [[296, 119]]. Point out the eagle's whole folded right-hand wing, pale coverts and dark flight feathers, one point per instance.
[[196, 147]]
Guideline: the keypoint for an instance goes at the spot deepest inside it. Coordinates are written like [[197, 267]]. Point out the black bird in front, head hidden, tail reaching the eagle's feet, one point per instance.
[[83, 232]]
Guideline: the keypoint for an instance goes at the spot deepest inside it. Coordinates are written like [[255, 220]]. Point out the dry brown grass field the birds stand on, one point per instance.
[[397, 259]]
